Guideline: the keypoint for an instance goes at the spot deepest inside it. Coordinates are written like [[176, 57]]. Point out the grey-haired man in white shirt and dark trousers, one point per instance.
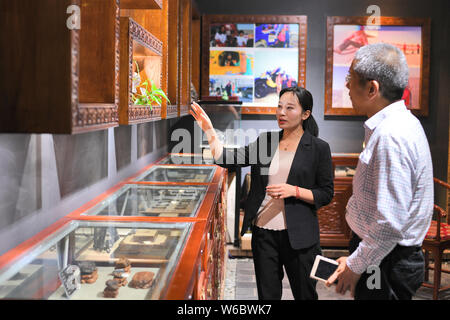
[[392, 203]]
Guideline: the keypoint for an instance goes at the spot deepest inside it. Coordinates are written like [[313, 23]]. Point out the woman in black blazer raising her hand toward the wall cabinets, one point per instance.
[[287, 187]]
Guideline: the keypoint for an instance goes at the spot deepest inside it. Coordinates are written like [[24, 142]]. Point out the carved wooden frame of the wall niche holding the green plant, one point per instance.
[[128, 112]]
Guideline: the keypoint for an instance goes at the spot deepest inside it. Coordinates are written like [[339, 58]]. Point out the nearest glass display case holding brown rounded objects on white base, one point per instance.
[[98, 260]]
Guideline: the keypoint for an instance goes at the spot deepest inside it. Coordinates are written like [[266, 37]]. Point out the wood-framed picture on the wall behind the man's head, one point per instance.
[[345, 35]]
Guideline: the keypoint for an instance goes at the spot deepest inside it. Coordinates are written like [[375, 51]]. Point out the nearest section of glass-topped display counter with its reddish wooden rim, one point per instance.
[[32, 269]]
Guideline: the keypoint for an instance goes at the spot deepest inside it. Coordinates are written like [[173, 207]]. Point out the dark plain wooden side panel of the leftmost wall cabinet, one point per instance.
[[28, 50]]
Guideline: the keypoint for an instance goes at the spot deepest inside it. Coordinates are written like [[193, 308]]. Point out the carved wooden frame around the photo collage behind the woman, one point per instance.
[[207, 20]]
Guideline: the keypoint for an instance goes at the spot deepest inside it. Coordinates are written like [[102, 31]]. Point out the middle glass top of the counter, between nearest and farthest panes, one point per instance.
[[151, 201]]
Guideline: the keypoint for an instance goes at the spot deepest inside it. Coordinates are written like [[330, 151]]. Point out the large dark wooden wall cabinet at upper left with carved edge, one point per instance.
[[60, 65]]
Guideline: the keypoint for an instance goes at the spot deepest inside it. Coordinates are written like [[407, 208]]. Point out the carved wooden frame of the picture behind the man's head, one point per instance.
[[424, 23]]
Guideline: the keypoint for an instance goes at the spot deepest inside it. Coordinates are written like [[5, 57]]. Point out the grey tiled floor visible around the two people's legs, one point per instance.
[[240, 284]]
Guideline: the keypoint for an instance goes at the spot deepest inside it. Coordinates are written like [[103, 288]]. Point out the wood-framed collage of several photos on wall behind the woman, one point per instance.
[[250, 58]]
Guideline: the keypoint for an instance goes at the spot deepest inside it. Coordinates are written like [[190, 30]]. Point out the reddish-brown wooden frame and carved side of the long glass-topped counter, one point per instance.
[[201, 273]]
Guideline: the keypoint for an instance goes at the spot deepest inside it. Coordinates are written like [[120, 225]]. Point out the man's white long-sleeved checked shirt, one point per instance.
[[392, 201]]
